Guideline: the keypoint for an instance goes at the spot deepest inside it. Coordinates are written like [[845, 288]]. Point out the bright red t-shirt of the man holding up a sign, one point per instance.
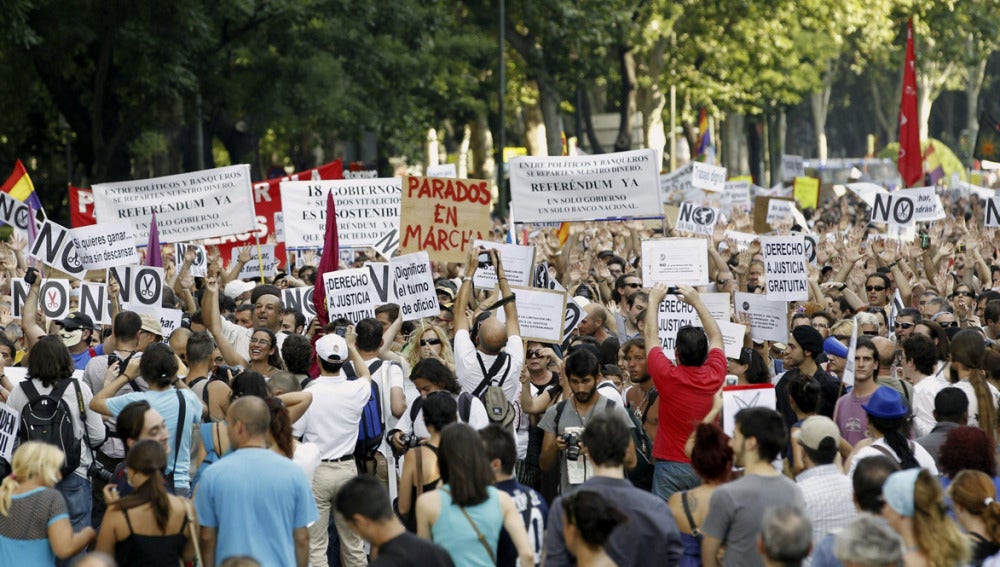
[[685, 394]]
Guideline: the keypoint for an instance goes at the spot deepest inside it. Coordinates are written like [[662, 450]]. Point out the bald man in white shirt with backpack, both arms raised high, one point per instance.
[[496, 355]]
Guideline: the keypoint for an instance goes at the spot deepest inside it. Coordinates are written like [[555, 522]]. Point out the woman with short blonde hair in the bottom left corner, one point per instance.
[[34, 524]]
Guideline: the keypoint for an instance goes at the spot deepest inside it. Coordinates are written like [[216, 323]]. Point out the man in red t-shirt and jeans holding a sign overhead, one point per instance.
[[686, 390]]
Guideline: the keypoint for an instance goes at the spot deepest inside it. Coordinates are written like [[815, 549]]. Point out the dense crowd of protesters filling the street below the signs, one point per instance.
[[256, 434]]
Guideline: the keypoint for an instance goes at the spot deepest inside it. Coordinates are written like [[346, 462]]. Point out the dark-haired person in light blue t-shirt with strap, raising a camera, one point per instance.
[[180, 408]]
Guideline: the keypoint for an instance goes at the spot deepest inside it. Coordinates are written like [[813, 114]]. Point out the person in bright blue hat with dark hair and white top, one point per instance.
[[889, 429]]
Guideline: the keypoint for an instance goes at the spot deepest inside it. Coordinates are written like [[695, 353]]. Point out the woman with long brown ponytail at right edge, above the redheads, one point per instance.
[[967, 354]]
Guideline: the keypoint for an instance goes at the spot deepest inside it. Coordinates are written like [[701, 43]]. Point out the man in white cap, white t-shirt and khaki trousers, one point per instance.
[[331, 422]]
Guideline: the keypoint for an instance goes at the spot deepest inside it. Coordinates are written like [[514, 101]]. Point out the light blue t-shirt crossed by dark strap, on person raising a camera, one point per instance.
[[165, 402]]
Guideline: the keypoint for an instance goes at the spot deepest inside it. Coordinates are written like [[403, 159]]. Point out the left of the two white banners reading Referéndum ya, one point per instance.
[[188, 206]]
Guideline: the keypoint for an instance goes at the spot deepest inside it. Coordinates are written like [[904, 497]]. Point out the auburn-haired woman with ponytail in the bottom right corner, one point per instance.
[[976, 510]]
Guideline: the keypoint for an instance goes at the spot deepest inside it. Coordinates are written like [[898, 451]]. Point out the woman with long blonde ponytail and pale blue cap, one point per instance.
[[914, 507]]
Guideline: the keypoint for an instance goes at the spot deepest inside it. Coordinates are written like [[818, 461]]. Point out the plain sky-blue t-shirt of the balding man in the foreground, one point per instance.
[[274, 500]]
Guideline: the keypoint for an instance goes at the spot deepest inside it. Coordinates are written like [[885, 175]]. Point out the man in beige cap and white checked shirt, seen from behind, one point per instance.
[[826, 490]]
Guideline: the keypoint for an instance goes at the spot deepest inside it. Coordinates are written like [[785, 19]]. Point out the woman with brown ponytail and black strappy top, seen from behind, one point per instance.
[[149, 527]]
